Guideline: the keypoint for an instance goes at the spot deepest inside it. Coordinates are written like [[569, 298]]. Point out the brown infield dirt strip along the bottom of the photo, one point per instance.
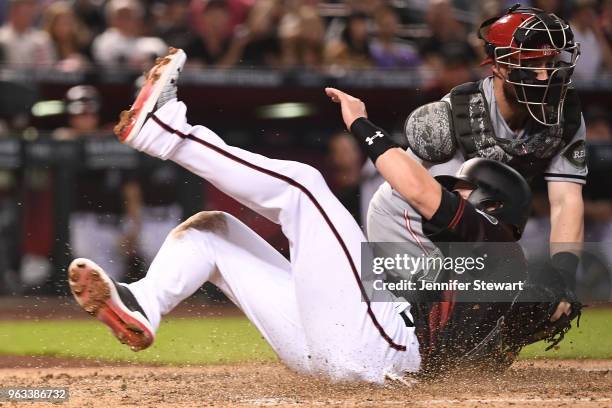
[[543, 383]]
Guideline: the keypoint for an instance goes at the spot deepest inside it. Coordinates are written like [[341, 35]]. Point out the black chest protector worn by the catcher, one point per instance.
[[530, 155]]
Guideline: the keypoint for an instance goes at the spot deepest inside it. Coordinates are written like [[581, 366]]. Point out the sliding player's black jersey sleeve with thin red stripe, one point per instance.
[[457, 220]]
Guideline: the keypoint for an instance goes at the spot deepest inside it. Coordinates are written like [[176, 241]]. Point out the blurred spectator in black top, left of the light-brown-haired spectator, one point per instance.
[[263, 45]]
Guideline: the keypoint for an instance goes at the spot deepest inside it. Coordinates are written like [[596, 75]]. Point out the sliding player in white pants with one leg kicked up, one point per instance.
[[313, 310]]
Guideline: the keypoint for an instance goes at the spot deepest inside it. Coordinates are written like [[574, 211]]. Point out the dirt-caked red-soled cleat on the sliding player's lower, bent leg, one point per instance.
[[111, 303]]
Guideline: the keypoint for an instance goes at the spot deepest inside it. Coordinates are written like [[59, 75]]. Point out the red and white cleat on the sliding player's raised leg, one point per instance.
[[158, 88]]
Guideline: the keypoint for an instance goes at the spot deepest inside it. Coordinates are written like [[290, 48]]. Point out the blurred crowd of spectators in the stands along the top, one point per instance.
[[430, 35]]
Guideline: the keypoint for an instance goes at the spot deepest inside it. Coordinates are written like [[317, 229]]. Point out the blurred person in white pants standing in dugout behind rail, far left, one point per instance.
[[108, 202]]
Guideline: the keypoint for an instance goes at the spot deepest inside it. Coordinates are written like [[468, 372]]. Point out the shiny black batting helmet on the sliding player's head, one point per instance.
[[499, 190]]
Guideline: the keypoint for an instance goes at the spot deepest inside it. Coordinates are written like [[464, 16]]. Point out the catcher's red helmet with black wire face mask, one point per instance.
[[540, 55]]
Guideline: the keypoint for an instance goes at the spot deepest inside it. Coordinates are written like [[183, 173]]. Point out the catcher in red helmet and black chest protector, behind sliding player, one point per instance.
[[526, 115]]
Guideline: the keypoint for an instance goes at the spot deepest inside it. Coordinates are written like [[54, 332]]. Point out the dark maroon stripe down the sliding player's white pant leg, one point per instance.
[[307, 192]]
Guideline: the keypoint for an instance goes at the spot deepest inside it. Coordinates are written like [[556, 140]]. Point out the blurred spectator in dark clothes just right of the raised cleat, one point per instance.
[[215, 43]]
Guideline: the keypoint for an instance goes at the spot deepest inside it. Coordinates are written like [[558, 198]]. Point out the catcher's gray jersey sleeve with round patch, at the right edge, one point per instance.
[[570, 164]]
